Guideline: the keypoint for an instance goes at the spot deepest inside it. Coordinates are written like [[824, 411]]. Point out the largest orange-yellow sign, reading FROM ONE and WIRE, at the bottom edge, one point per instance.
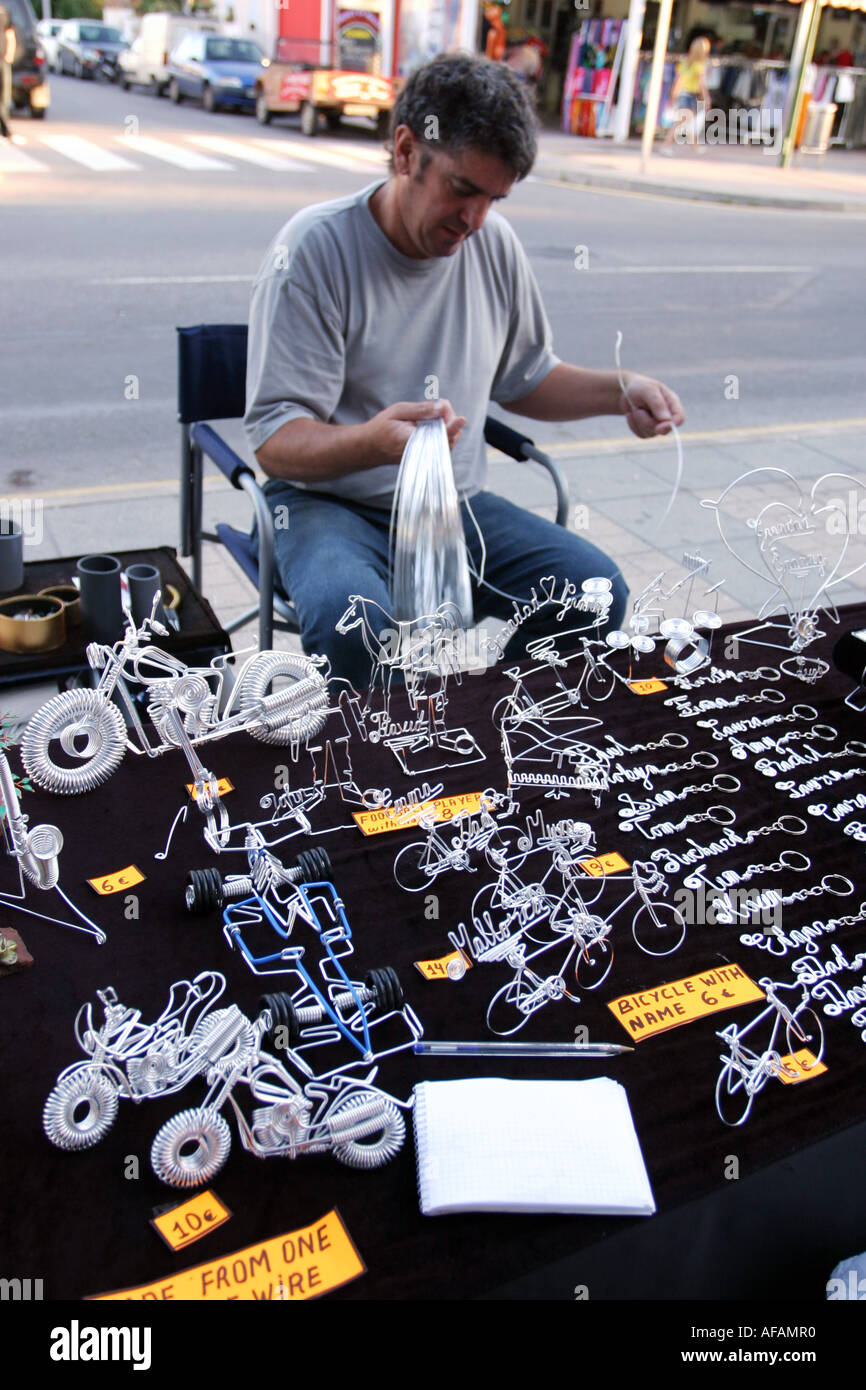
[[302, 1264]]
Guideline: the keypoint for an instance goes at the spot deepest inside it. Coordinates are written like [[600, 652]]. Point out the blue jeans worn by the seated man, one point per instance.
[[333, 550]]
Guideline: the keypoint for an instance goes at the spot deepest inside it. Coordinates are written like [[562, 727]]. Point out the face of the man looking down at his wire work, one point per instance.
[[446, 202]]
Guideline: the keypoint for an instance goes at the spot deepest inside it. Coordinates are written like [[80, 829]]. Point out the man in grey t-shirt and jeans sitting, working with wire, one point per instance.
[[366, 306]]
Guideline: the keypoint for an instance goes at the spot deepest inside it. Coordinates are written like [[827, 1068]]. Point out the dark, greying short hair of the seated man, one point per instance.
[[477, 105]]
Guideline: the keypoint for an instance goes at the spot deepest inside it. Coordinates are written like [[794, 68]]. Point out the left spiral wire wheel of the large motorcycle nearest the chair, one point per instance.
[[88, 729]]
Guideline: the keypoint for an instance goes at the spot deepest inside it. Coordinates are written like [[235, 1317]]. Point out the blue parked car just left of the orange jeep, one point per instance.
[[216, 70]]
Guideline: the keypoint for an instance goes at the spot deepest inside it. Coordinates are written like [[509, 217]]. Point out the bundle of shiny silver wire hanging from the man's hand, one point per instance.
[[429, 561]]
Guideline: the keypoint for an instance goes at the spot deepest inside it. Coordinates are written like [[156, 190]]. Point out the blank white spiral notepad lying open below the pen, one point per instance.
[[491, 1145]]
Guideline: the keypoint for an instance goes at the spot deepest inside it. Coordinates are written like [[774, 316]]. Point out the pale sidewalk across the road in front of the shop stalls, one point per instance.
[[722, 174]]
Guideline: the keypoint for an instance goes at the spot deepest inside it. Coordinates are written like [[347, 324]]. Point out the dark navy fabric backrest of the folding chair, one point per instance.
[[212, 373]]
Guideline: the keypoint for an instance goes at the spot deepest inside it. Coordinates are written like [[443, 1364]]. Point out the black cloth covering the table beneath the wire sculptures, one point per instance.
[[742, 1213]]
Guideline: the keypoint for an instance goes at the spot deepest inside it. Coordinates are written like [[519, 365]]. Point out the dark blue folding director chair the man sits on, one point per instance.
[[212, 386]]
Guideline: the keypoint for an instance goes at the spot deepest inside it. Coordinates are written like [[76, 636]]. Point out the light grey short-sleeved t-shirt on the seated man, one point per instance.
[[343, 325]]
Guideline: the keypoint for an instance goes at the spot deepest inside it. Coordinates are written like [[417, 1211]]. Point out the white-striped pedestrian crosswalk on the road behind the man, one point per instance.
[[54, 152]]
